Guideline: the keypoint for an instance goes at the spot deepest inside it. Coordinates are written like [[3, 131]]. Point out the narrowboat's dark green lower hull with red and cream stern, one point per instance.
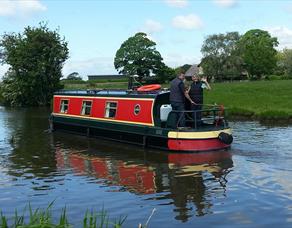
[[146, 136]]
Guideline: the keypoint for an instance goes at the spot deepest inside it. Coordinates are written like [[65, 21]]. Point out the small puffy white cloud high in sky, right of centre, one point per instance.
[[188, 22]]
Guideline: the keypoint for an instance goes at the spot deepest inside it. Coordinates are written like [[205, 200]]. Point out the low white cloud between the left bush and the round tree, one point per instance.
[[97, 65]]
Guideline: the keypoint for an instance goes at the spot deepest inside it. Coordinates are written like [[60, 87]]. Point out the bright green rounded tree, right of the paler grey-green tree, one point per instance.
[[258, 52]]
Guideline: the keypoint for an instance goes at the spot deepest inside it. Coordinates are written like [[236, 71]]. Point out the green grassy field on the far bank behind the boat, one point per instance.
[[256, 99]]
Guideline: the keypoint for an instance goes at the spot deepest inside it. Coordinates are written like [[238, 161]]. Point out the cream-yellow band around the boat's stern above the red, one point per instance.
[[196, 135]]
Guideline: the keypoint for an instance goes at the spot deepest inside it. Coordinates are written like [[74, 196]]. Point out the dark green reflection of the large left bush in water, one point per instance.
[[30, 151]]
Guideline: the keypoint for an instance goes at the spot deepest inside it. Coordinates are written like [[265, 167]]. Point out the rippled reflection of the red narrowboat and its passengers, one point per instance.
[[188, 181]]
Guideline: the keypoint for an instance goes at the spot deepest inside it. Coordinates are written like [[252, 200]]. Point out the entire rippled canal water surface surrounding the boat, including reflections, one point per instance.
[[248, 185]]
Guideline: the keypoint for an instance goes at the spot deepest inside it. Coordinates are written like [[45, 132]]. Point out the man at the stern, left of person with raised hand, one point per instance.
[[177, 96]]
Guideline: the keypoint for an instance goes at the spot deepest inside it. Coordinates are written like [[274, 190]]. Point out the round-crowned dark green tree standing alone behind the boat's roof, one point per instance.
[[138, 56]]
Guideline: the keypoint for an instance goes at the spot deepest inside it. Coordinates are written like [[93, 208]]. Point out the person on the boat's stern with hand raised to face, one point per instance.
[[195, 92]]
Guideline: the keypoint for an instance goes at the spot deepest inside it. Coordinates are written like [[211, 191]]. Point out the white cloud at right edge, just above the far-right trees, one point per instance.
[[284, 36]]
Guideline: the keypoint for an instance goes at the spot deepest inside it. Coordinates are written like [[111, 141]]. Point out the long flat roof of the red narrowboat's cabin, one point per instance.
[[112, 92]]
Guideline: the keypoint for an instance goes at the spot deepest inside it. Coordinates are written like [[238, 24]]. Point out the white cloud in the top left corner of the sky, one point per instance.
[[12, 8]]
